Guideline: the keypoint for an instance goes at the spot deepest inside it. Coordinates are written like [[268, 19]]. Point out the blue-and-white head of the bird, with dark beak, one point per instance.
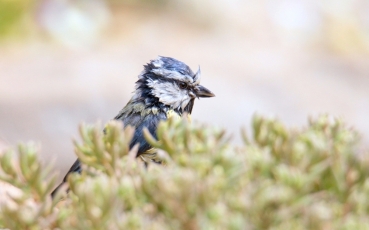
[[172, 83]]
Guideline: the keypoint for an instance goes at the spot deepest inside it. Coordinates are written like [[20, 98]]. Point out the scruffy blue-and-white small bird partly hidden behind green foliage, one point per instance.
[[164, 88]]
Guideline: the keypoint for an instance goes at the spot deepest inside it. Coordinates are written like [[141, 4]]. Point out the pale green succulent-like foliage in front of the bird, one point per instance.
[[307, 178]]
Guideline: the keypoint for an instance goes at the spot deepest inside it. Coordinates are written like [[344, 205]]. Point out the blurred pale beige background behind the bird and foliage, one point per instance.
[[67, 61]]
